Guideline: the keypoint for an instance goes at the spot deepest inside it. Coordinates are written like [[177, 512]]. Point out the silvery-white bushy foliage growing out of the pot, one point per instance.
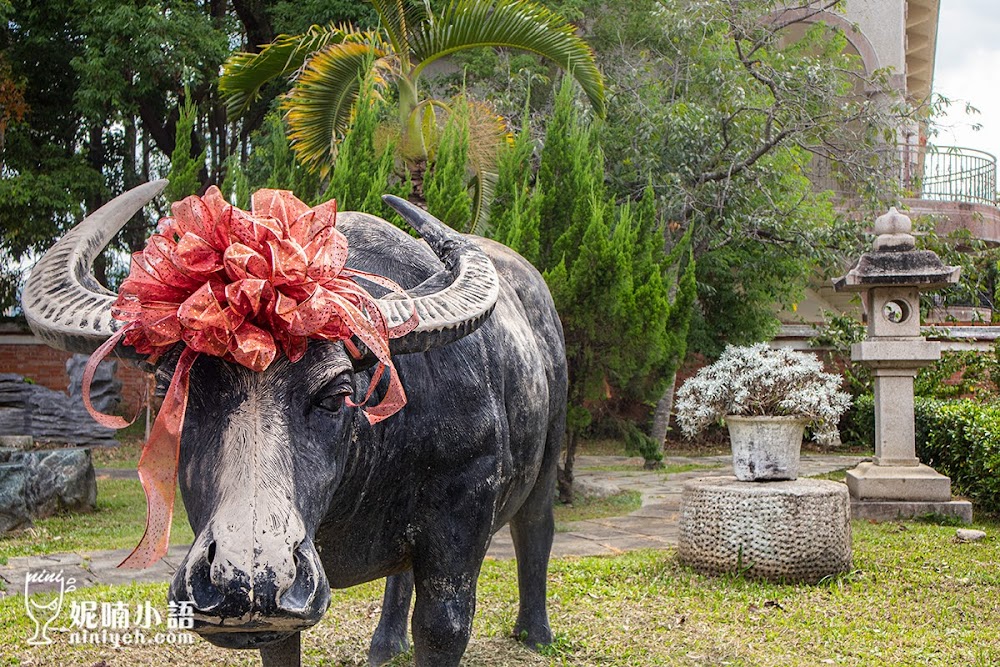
[[758, 380]]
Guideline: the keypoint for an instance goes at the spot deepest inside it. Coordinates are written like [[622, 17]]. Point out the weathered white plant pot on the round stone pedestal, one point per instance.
[[765, 448]]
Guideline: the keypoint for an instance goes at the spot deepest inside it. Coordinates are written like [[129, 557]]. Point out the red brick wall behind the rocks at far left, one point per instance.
[[47, 367]]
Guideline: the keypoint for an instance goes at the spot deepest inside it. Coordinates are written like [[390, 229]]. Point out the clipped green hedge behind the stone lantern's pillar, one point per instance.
[[959, 438]]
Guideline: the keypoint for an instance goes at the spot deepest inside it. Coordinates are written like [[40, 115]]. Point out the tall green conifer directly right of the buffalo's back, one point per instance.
[[624, 302]]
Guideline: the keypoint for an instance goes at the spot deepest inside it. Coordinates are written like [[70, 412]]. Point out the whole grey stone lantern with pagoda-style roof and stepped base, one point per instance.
[[890, 278]]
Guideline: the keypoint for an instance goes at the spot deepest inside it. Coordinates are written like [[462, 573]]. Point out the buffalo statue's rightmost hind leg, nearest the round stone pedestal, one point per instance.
[[531, 530]]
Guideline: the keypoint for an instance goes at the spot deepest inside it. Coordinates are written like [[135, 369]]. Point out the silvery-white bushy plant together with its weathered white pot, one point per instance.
[[767, 397]]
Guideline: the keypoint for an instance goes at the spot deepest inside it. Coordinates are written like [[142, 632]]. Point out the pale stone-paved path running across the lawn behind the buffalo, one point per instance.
[[652, 526]]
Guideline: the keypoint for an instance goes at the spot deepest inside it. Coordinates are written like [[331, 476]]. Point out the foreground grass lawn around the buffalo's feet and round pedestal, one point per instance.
[[916, 597]]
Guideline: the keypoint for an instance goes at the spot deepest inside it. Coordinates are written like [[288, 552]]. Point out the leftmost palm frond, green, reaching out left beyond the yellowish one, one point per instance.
[[245, 74]]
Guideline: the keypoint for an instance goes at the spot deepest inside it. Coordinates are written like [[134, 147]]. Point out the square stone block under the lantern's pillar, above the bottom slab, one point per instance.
[[918, 483]]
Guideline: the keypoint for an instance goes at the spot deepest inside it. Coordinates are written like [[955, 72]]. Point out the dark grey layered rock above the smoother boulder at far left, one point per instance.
[[48, 415]]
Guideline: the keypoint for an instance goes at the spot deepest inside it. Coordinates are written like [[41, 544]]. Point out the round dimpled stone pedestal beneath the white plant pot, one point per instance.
[[796, 531]]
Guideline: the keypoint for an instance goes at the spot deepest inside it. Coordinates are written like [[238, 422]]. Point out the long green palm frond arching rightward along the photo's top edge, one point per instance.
[[517, 24]]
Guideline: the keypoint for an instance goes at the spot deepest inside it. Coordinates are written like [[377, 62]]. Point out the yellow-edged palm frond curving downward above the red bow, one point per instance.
[[320, 103]]
